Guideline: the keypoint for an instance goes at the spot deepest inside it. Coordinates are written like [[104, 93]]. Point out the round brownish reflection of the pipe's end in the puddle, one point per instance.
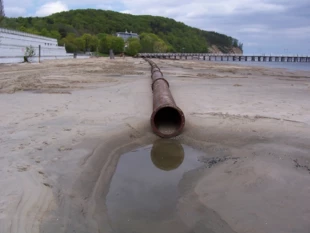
[[167, 154]]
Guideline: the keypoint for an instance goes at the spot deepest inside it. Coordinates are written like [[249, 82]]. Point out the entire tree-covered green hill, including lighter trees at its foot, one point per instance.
[[74, 28]]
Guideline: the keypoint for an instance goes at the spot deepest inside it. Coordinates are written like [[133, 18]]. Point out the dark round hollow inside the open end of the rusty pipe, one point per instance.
[[167, 120]]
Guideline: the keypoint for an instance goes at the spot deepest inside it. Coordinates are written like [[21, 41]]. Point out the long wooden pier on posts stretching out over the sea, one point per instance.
[[226, 57]]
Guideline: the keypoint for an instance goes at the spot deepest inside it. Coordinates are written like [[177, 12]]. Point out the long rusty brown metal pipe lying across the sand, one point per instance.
[[167, 119]]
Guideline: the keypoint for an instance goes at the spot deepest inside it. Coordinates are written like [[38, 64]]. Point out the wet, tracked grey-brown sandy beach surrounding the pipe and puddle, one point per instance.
[[64, 125]]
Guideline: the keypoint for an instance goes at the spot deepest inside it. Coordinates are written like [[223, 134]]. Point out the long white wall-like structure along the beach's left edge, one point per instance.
[[13, 46]]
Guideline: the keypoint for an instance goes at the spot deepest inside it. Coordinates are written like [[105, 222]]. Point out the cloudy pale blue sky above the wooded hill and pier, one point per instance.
[[264, 26]]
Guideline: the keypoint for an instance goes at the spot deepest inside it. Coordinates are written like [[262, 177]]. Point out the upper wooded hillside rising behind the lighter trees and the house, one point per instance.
[[176, 35]]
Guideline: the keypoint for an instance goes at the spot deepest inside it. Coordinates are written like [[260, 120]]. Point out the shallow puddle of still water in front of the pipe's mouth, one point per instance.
[[144, 193]]
